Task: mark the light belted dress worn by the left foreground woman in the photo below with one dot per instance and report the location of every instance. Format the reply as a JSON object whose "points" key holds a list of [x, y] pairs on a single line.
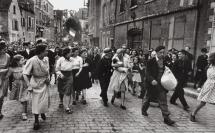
{"points": [[39, 70]]}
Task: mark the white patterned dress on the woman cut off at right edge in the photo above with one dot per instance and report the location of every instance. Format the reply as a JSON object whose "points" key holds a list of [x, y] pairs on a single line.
{"points": [[207, 93]]}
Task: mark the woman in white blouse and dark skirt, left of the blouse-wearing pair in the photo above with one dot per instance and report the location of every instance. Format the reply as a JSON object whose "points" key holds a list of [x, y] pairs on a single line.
{"points": [[64, 68]]}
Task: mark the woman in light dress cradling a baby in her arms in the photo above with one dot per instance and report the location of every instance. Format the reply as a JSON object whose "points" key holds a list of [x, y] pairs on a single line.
{"points": [[119, 81]]}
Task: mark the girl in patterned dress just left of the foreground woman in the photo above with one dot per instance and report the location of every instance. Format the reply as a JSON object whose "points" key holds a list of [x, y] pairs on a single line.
{"points": [[19, 90]]}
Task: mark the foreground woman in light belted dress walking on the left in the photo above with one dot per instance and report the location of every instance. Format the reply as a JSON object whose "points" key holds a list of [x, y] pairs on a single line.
{"points": [[38, 68]]}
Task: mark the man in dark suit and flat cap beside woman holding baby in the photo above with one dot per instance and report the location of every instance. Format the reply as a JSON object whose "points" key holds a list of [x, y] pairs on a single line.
{"points": [[104, 71]]}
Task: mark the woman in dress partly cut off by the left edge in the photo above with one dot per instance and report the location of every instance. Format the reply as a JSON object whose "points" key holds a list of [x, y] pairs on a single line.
{"points": [[4, 63]]}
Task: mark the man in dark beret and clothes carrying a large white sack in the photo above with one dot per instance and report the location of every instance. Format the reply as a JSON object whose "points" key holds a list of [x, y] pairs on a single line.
{"points": [[154, 71]]}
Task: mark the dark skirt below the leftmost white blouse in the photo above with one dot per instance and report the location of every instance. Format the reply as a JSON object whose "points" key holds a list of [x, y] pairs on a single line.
{"points": [[65, 85]]}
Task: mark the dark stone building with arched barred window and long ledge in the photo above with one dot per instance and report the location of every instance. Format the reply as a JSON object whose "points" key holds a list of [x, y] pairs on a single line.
{"points": [[149, 23]]}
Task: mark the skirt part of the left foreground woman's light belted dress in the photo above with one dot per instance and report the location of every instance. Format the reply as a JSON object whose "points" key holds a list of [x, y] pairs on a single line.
{"points": [[40, 101]]}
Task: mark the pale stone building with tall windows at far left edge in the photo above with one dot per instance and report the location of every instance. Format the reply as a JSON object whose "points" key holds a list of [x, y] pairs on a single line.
{"points": [[10, 28]]}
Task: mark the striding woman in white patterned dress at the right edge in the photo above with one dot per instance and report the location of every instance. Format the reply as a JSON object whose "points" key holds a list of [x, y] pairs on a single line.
{"points": [[207, 94]]}
